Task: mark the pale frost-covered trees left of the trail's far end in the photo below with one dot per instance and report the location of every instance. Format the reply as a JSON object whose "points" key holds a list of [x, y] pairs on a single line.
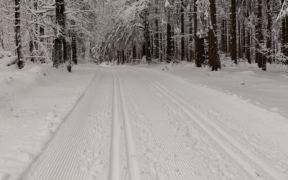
{"points": [[45, 31]]}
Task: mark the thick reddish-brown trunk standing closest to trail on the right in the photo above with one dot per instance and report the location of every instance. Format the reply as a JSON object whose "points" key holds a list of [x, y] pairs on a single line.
{"points": [[214, 60]]}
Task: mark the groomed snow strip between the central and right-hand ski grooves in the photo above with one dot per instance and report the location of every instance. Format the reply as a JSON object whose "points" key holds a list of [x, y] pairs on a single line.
{"points": [[165, 152]]}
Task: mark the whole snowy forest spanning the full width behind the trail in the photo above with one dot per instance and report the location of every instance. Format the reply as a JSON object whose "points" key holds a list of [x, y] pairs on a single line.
{"points": [[201, 31]]}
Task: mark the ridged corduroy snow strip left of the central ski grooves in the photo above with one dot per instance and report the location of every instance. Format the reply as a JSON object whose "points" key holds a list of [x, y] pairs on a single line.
{"points": [[73, 152]]}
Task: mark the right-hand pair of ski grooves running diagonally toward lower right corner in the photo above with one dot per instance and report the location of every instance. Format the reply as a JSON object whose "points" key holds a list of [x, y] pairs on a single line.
{"points": [[255, 167]]}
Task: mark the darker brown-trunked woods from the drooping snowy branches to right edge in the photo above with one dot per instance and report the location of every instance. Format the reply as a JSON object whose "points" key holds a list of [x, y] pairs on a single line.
{"points": [[202, 31]]}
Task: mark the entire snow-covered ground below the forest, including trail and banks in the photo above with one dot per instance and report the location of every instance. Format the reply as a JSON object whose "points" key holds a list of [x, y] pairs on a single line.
{"points": [[143, 123]]}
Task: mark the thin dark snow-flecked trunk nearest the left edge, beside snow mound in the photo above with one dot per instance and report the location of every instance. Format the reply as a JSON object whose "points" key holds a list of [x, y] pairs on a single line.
{"points": [[20, 60]]}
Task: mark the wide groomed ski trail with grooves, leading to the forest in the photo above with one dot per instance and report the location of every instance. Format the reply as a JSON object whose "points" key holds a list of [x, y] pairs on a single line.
{"points": [[140, 124]]}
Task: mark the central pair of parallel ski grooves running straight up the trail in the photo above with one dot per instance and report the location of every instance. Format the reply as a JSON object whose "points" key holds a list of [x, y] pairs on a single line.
{"points": [[120, 114]]}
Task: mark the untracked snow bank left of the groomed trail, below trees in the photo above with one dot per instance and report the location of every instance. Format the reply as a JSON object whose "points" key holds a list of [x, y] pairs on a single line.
{"points": [[34, 102]]}
